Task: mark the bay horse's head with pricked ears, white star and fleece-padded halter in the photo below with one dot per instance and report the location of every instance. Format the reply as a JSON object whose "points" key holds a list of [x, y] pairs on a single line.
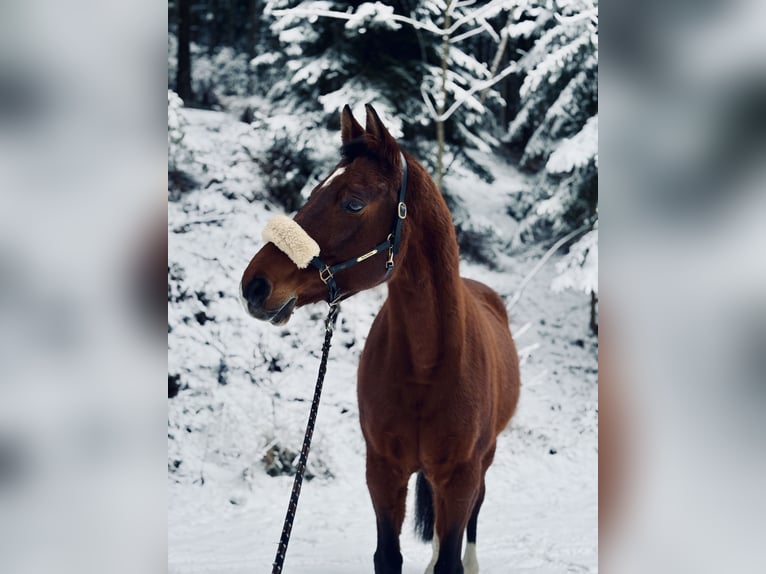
{"points": [[344, 239]]}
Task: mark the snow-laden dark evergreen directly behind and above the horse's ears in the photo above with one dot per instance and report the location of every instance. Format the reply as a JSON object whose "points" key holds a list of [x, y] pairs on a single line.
{"points": [[410, 58]]}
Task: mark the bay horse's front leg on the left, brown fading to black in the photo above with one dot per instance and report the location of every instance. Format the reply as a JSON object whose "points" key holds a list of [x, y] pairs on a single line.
{"points": [[388, 489]]}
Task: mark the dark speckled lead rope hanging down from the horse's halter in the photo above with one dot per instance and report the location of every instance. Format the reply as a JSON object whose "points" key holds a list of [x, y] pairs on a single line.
{"points": [[279, 560]]}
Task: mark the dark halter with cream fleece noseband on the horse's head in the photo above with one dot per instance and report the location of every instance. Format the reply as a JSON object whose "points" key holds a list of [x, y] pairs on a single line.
{"points": [[298, 245]]}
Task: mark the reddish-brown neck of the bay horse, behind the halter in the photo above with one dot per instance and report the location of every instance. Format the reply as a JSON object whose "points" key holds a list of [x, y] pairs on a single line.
{"points": [[426, 295]]}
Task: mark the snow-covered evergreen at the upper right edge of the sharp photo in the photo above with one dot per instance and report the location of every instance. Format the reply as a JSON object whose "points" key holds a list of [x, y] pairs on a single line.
{"points": [[556, 127]]}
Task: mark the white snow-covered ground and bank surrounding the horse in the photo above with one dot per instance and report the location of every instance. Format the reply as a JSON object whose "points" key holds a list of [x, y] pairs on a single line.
{"points": [[246, 386]]}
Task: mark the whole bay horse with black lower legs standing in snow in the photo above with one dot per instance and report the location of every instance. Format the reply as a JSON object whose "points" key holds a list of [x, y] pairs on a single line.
{"points": [[438, 378]]}
